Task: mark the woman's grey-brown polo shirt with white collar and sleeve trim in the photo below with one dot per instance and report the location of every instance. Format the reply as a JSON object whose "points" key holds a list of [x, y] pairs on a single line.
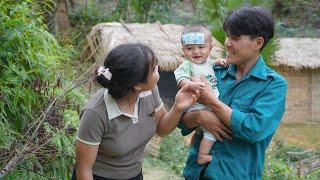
{"points": [[121, 137]]}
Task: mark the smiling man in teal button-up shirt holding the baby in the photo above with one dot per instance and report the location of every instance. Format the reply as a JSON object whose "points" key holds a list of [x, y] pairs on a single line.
{"points": [[250, 105]]}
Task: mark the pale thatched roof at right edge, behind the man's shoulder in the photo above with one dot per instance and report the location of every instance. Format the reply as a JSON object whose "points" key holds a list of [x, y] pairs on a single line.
{"points": [[298, 53]]}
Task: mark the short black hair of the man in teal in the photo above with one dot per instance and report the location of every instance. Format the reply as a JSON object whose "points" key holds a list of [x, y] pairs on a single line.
{"points": [[252, 21]]}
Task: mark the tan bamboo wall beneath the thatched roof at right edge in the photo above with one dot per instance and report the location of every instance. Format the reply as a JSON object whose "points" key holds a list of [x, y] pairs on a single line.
{"points": [[303, 95]]}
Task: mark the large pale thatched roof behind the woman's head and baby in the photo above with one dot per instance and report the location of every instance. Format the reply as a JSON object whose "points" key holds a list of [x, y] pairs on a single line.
{"points": [[163, 39]]}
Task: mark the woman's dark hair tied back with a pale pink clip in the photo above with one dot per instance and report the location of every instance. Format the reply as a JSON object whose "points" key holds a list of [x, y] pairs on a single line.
{"points": [[129, 65]]}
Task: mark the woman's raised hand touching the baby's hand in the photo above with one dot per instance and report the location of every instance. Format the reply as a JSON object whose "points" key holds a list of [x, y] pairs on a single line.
{"points": [[186, 97]]}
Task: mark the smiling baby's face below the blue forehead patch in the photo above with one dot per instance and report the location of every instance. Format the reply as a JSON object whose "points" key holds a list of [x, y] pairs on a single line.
{"points": [[197, 53]]}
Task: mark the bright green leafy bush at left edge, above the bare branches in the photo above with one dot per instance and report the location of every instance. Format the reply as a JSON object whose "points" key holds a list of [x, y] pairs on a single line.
{"points": [[29, 59]]}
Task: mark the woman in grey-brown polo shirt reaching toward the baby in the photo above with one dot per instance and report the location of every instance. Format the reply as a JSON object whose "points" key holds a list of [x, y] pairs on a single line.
{"points": [[119, 120]]}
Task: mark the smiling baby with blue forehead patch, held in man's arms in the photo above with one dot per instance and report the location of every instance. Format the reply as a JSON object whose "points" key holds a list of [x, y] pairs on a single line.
{"points": [[196, 43]]}
